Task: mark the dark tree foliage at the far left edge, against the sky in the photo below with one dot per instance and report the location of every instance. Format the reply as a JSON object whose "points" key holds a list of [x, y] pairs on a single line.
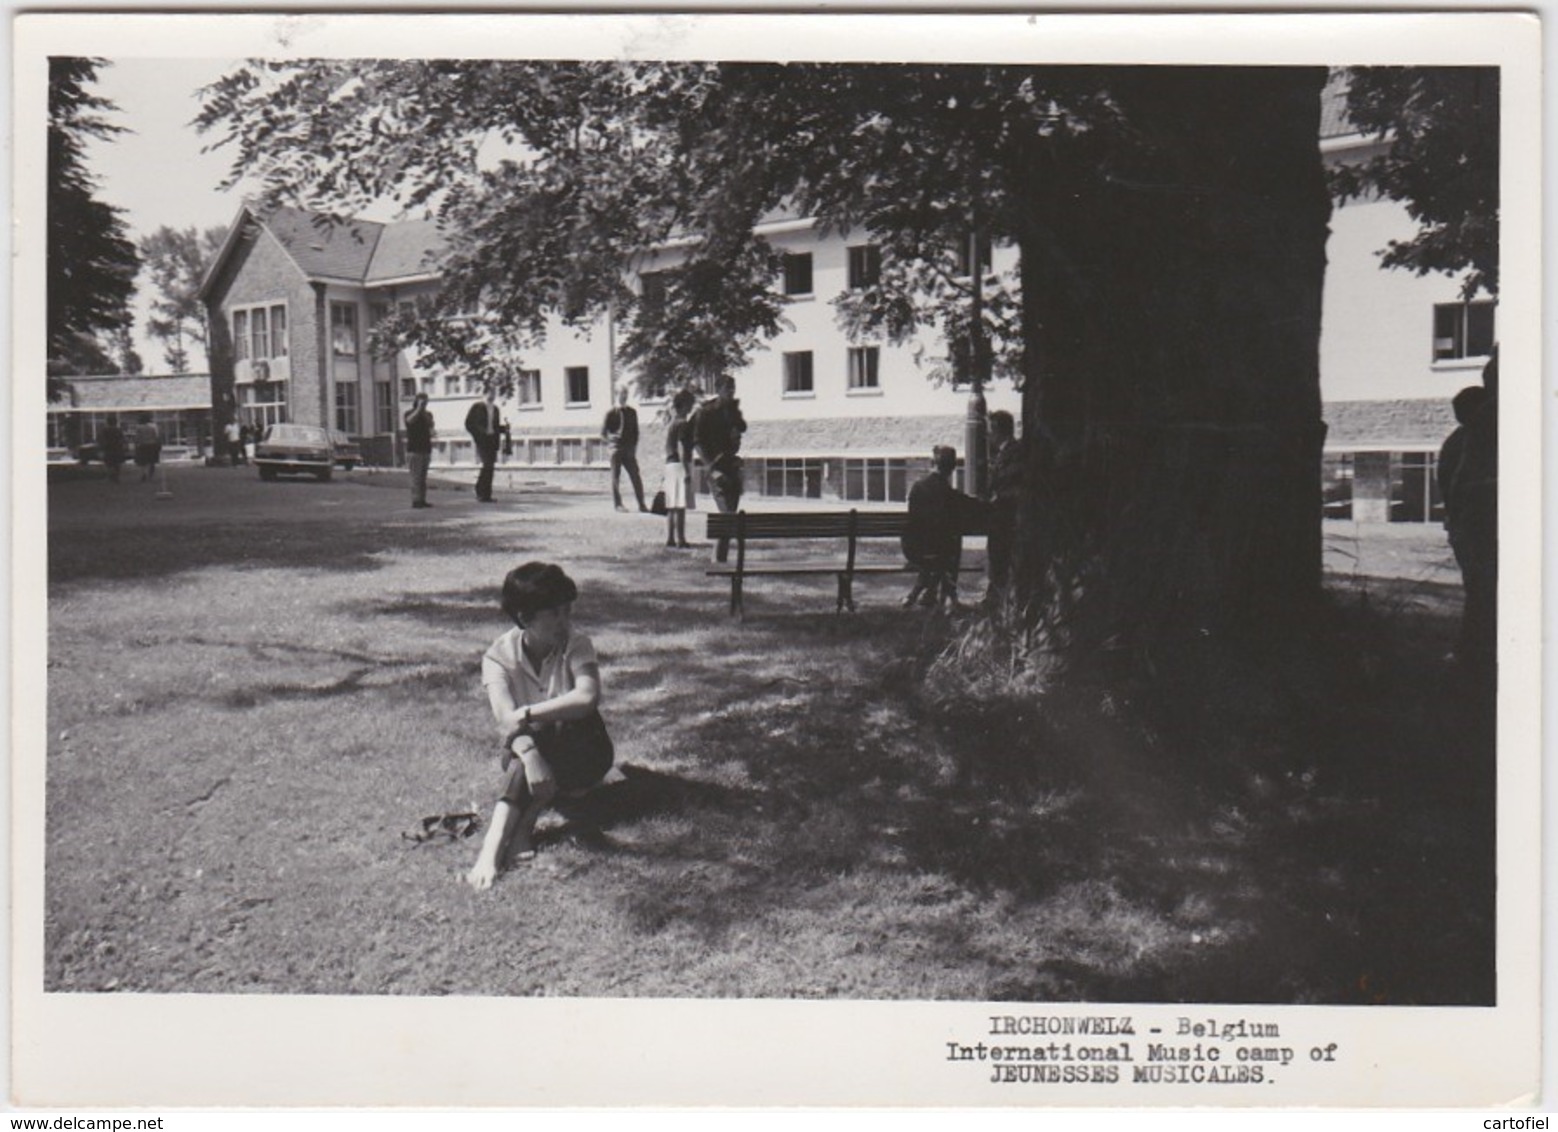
{"points": [[91, 261]]}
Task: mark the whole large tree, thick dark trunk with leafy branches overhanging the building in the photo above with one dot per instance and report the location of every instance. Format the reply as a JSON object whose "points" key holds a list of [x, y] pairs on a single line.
{"points": [[1163, 320]]}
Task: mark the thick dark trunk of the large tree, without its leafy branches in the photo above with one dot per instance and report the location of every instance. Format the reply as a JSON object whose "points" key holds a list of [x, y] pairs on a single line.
{"points": [[1174, 374]]}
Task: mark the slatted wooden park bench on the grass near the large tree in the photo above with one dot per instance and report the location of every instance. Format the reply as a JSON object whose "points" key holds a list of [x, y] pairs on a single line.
{"points": [[848, 527]]}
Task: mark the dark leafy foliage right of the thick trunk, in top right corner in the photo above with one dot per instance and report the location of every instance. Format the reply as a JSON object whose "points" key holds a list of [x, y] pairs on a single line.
{"points": [[1442, 125]]}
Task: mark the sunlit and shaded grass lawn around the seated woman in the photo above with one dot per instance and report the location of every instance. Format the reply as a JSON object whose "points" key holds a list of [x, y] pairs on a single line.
{"points": [[247, 717]]}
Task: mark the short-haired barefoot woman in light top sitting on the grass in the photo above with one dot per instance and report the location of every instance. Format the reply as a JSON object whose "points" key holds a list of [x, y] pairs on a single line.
{"points": [[543, 683]]}
